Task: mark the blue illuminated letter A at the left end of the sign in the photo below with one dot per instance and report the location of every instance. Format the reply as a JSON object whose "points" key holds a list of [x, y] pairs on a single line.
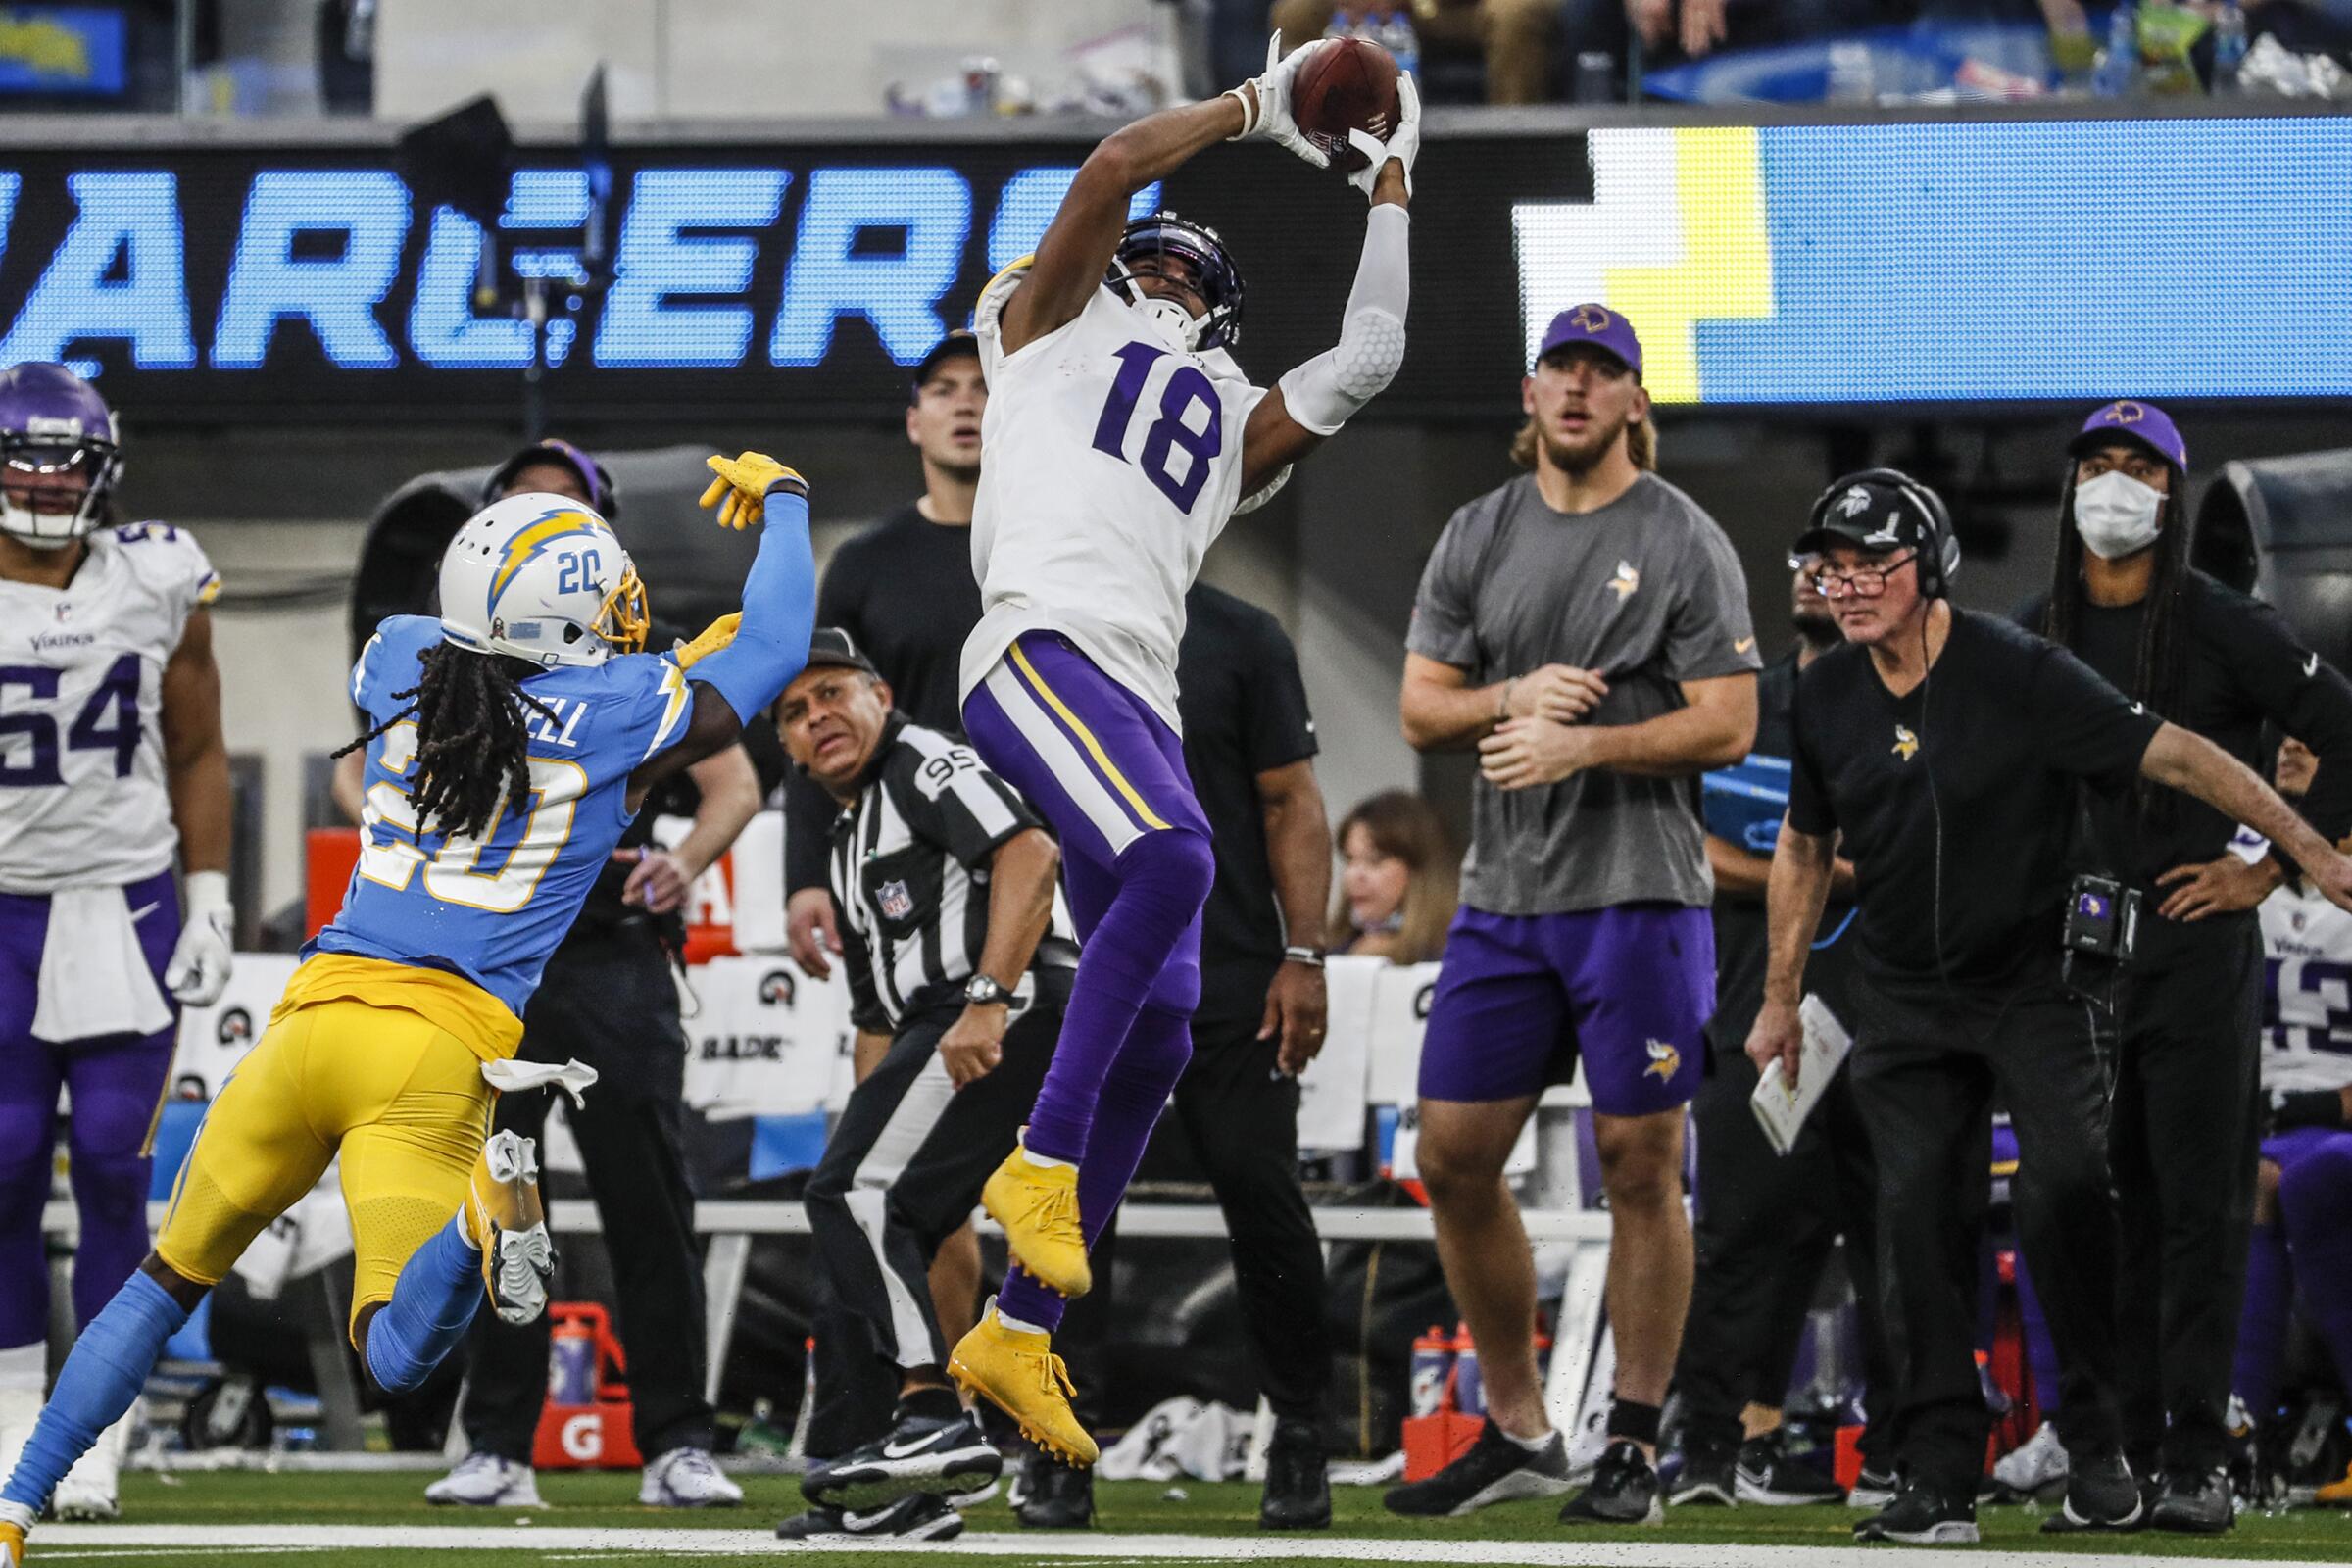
{"points": [[131, 217]]}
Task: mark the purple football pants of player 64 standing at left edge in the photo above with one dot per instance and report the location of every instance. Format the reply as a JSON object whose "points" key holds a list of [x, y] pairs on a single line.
{"points": [[116, 1083]]}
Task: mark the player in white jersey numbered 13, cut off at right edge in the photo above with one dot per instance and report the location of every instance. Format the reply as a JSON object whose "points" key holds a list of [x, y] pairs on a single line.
{"points": [[2304, 1200]]}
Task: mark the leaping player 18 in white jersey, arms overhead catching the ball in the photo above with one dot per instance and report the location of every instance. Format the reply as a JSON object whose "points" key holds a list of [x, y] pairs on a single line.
{"points": [[1121, 441]]}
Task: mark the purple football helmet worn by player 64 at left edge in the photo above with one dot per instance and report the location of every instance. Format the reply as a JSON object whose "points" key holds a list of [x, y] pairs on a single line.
{"points": [[53, 424]]}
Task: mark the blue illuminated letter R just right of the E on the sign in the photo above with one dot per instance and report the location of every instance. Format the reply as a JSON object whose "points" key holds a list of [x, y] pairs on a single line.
{"points": [[897, 293]]}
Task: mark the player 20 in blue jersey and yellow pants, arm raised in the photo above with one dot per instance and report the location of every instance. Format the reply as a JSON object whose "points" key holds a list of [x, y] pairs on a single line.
{"points": [[512, 744]]}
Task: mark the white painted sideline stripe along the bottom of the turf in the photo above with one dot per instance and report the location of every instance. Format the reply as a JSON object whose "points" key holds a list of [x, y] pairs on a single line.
{"points": [[281, 1539]]}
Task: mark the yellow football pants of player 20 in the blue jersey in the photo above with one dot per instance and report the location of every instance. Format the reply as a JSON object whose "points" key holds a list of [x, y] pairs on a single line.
{"points": [[401, 1099]]}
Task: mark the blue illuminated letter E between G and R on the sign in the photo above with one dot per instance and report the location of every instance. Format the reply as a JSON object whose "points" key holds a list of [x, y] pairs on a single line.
{"points": [[655, 260]]}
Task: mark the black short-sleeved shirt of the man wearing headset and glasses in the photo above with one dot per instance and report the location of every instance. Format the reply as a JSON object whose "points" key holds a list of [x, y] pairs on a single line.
{"points": [[1958, 800]]}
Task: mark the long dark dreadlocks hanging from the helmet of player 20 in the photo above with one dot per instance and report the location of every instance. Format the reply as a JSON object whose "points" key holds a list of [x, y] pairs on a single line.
{"points": [[472, 739]]}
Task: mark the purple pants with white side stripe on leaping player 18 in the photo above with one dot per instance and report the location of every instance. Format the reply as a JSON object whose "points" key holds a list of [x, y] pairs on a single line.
{"points": [[1109, 775]]}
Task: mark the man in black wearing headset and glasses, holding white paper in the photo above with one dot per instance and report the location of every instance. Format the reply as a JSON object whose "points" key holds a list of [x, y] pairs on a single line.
{"points": [[1939, 751]]}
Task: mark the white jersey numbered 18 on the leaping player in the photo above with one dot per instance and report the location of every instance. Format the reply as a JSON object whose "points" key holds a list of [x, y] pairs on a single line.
{"points": [[1114, 464]]}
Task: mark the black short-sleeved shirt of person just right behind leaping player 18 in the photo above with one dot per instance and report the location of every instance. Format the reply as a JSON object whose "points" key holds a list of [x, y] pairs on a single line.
{"points": [[1245, 713]]}
